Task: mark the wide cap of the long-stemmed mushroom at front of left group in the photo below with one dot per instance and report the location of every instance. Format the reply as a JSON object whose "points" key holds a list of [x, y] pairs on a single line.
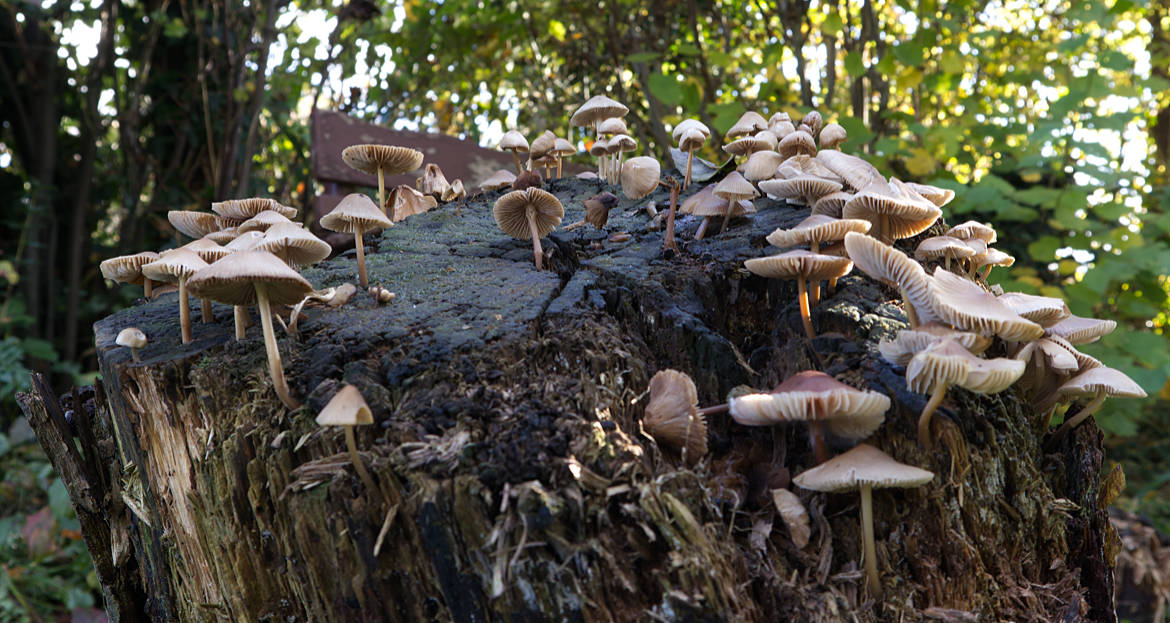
{"points": [[232, 280]]}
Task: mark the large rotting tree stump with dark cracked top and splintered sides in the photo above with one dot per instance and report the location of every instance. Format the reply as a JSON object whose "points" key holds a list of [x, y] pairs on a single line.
{"points": [[515, 481]]}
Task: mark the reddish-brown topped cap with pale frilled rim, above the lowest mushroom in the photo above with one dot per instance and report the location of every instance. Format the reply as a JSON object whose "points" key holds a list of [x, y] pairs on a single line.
{"points": [[815, 396]]}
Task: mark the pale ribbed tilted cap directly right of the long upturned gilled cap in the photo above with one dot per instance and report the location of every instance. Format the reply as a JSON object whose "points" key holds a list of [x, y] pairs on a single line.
{"points": [[966, 306]]}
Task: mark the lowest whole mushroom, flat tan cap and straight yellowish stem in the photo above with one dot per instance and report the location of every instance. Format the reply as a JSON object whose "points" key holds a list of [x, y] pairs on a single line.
{"points": [[863, 469]]}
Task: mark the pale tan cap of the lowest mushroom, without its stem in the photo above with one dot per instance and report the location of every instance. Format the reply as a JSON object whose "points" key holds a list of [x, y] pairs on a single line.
{"points": [[865, 465]]}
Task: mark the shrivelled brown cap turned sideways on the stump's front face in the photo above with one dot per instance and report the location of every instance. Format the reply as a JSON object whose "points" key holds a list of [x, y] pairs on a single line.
{"points": [[672, 415]]}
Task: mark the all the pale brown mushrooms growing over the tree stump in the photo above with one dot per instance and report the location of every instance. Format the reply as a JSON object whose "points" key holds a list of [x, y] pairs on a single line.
{"points": [[246, 254]]}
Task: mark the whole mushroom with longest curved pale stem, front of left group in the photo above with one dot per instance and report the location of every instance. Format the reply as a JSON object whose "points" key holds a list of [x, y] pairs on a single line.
{"points": [[257, 277]]}
